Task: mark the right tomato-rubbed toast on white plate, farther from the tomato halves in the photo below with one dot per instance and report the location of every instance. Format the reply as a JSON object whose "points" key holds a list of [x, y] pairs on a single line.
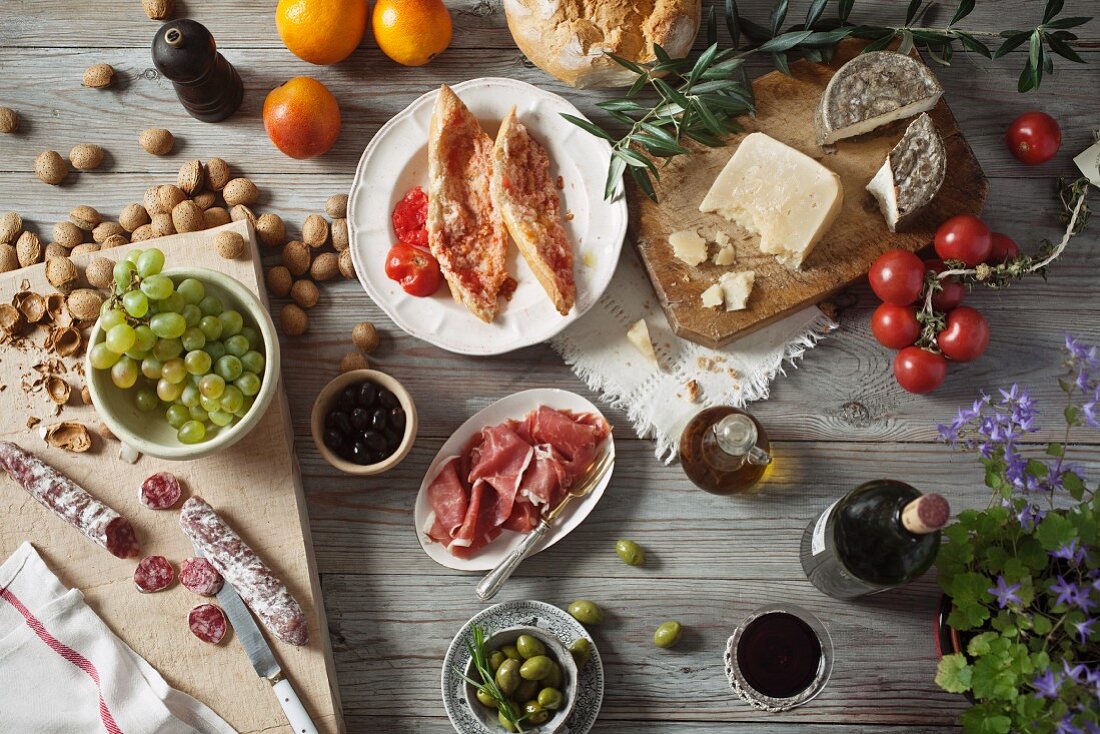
{"points": [[527, 199]]}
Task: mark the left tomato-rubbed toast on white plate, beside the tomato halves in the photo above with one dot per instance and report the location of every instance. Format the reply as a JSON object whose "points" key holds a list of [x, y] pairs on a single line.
{"points": [[466, 233]]}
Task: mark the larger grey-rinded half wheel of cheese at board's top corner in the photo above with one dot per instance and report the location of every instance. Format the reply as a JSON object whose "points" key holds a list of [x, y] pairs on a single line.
{"points": [[873, 91]]}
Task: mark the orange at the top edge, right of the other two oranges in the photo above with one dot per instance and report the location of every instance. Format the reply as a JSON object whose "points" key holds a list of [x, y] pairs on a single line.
{"points": [[412, 32]]}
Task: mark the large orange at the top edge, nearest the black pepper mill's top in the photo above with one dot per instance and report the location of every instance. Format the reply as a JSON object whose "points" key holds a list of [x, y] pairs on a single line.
{"points": [[322, 31]]}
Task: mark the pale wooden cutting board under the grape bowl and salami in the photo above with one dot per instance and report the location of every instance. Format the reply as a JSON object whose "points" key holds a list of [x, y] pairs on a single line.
{"points": [[255, 485]]}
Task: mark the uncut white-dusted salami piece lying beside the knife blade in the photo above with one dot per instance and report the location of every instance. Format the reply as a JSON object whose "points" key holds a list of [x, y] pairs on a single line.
{"points": [[254, 580]]}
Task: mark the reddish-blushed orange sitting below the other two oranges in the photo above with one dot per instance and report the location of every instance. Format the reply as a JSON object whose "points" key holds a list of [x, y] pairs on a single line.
{"points": [[302, 118]]}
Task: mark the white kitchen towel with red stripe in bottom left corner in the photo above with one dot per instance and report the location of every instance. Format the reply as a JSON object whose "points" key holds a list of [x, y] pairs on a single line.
{"points": [[63, 671]]}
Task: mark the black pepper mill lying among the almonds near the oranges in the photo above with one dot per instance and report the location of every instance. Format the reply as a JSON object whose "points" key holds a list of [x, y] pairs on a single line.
{"points": [[208, 86]]}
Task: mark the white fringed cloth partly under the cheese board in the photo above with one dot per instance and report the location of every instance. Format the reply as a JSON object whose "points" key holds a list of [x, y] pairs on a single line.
{"points": [[662, 400]]}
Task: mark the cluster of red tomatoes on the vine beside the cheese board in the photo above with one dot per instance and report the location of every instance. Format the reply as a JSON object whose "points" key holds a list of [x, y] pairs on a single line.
{"points": [[898, 279]]}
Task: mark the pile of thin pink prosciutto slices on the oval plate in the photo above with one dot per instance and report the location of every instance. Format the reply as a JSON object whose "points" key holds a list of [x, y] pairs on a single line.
{"points": [[509, 476]]}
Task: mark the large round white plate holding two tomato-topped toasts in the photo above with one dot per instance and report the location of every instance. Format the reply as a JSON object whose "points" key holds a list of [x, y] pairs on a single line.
{"points": [[397, 160]]}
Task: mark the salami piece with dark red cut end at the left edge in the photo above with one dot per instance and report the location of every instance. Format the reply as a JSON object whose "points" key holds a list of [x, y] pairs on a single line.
{"points": [[70, 501]]}
